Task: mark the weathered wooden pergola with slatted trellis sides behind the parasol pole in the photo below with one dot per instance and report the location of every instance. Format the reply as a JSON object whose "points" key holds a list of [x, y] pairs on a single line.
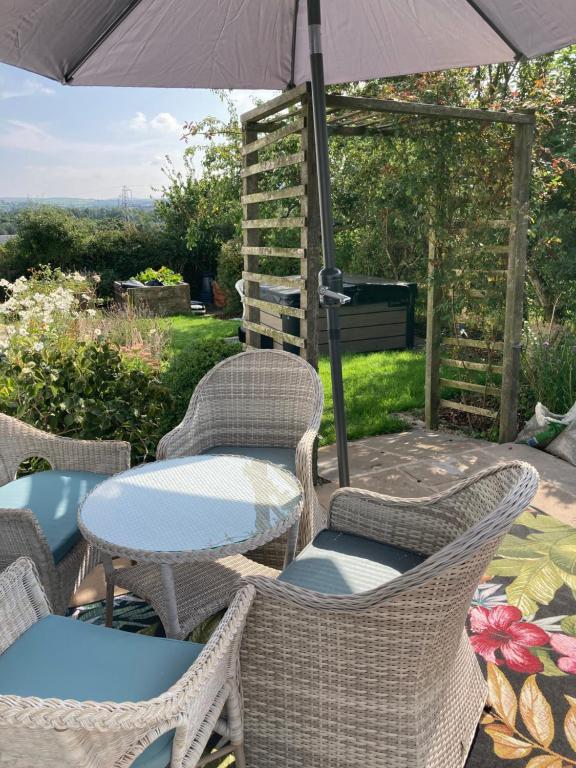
{"points": [[280, 170]]}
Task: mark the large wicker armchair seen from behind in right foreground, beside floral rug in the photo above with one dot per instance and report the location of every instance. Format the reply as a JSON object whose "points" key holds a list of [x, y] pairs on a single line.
{"points": [[385, 677]]}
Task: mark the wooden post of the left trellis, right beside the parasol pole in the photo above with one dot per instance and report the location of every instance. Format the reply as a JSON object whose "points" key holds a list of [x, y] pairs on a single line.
{"points": [[310, 237]]}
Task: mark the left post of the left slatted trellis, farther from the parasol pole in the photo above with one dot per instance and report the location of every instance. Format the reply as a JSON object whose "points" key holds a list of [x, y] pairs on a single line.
{"points": [[251, 237]]}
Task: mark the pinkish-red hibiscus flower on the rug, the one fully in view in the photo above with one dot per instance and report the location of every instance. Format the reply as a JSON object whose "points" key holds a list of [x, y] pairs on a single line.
{"points": [[502, 629]]}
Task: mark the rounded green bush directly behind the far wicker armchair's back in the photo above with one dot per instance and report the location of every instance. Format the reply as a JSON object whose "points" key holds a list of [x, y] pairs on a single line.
{"points": [[189, 365]]}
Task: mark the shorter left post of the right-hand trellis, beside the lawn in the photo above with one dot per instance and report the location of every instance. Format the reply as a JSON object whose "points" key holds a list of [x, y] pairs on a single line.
{"points": [[433, 334]]}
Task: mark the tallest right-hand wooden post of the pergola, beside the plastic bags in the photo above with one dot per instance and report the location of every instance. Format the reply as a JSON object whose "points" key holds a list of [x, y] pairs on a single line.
{"points": [[523, 138]]}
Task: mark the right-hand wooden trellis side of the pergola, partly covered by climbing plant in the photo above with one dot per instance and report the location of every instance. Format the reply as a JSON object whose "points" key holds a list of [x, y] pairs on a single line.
{"points": [[505, 277]]}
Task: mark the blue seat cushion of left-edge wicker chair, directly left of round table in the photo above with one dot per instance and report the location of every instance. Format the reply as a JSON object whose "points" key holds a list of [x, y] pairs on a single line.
{"points": [[53, 497]]}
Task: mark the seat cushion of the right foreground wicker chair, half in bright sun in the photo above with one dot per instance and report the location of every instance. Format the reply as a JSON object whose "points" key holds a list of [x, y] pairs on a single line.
{"points": [[338, 563]]}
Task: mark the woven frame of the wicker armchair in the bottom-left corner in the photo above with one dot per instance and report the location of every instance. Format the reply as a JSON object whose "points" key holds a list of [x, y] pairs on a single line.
{"points": [[56, 733]]}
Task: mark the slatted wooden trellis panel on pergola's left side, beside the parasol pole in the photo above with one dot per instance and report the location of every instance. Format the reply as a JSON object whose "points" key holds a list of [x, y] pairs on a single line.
{"points": [[264, 130]]}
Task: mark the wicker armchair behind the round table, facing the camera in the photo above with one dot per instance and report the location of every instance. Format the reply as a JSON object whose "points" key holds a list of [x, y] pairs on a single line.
{"points": [[263, 399]]}
